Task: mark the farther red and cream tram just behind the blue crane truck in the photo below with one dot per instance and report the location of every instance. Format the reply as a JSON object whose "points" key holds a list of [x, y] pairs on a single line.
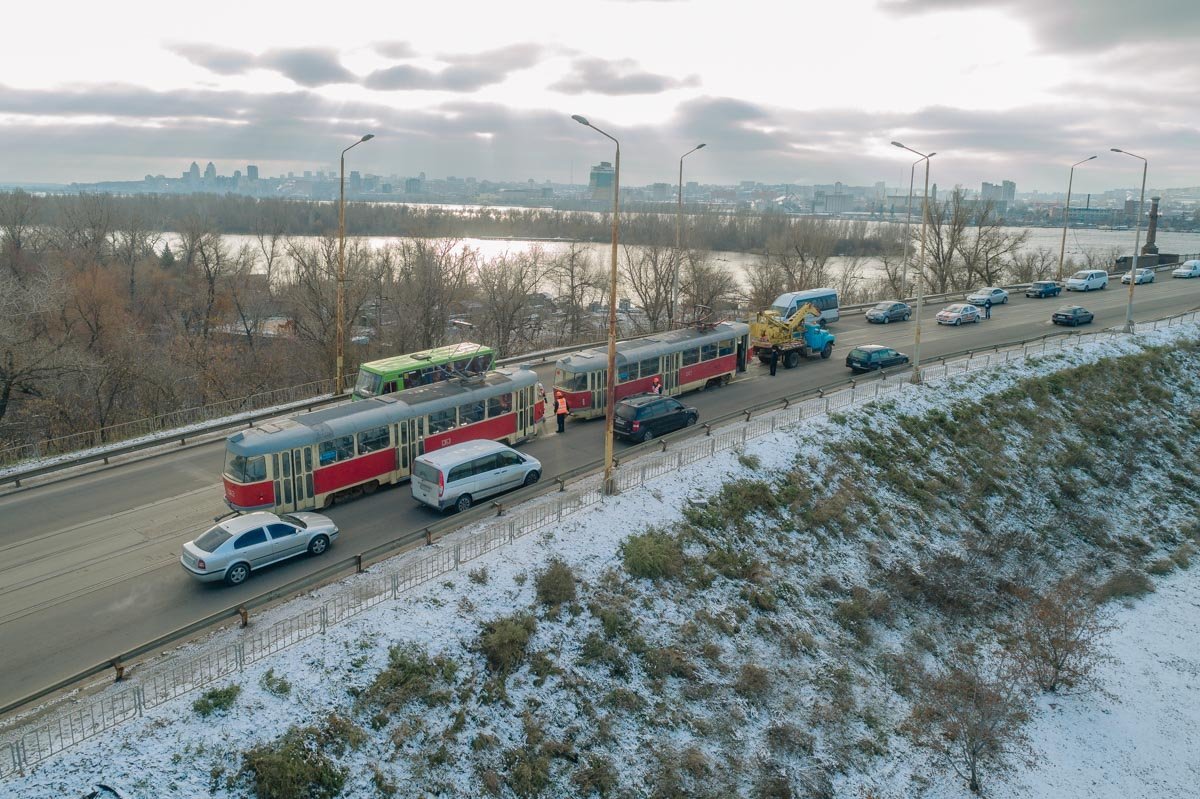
{"points": [[682, 359]]}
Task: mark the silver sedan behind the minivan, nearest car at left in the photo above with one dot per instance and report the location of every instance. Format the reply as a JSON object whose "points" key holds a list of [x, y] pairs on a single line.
{"points": [[232, 549]]}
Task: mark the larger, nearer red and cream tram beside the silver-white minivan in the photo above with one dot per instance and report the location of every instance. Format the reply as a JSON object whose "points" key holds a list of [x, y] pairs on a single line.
{"points": [[311, 460]]}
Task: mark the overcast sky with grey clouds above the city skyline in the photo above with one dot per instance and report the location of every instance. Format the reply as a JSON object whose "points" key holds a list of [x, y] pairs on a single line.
{"points": [[797, 92]]}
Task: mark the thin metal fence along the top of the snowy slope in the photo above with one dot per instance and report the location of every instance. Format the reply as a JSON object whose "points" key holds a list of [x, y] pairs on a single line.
{"points": [[27, 744]]}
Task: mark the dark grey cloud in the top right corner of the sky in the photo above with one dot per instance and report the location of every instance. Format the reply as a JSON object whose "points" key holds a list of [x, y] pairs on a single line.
{"points": [[1081, 26]]}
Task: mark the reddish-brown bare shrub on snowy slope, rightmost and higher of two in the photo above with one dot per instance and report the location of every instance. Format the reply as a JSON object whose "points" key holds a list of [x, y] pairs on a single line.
{"points": [[1058, 644]]}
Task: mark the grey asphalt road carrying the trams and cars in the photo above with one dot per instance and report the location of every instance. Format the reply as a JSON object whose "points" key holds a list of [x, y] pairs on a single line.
{"points": [[89, 564]]}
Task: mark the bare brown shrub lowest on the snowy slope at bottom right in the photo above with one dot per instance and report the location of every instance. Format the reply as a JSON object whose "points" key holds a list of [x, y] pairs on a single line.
{"points": [[973, 716]]}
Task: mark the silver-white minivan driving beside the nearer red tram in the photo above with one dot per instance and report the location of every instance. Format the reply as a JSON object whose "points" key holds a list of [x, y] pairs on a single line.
{"points": [[459, 476]]}
